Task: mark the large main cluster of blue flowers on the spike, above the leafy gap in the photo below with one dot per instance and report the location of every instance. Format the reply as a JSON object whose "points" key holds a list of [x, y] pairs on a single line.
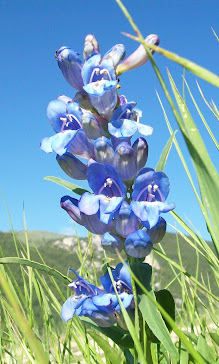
{"points": [[97, 126]]}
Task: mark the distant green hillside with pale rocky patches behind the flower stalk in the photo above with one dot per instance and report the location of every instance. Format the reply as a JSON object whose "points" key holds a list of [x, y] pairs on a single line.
{"points": [[60, 252]]}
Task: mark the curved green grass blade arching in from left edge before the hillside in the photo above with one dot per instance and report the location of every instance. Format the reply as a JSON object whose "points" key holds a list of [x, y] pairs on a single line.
{"points": [[42, 267]]}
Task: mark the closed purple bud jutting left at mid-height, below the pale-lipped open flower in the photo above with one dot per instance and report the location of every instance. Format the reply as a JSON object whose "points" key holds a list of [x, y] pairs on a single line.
{"points": [[72, 166]]}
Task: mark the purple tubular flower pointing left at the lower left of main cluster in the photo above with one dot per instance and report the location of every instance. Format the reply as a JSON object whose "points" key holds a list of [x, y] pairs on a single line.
{"points": [[92, 223]]}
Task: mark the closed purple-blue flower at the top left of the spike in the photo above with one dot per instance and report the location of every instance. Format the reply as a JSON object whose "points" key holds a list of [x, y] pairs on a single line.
{"points": [[71, 67]]}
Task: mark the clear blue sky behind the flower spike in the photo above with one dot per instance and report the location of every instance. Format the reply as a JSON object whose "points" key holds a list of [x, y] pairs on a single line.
{"points": [[31, 31]]}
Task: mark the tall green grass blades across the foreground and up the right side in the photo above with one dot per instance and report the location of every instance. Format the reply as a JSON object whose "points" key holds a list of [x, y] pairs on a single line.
{"points": [[195, 333]]}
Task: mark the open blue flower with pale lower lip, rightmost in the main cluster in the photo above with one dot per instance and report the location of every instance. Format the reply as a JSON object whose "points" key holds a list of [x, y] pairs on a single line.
{"points": [[149, 194]]}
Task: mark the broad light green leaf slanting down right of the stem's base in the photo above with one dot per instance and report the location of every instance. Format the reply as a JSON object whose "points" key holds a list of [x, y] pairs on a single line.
{"points": [[155, 322]]}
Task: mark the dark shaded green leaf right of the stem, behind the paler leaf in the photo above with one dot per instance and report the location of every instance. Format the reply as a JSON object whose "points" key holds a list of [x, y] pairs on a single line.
{"points": [[165, 299]]}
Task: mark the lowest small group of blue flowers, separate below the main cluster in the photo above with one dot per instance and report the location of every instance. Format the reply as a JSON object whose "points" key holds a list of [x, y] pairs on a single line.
{"points": [[102, 307]]}
